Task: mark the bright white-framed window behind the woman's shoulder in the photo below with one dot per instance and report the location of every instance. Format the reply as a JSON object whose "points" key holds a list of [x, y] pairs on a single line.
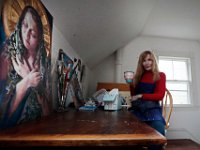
{"points": [[178, 76]]}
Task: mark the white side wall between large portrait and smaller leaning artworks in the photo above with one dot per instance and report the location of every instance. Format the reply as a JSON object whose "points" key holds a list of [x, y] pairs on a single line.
{"points": [[59, 42]]}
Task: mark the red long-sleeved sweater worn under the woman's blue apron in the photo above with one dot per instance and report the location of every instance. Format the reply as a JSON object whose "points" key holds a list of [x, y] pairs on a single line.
{"points": [[160, 88]]}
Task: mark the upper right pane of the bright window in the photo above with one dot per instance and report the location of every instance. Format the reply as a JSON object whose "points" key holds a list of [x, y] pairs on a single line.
{"points": [[180, 70]]}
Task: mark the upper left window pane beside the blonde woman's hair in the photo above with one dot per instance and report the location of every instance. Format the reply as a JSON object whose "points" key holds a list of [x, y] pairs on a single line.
{"points": [[169, 71]]}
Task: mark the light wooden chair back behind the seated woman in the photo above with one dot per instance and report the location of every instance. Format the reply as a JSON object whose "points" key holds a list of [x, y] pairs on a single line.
{"points": [[167, 107]]}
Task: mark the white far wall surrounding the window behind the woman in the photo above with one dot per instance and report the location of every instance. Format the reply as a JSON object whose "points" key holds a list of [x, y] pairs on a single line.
{"points": [[184, 122]]}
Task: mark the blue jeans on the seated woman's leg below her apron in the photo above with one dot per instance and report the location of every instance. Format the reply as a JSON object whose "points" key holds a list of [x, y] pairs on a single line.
{"points": [[160, 127]]}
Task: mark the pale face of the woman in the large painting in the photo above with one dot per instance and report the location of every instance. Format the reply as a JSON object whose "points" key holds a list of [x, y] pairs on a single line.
{"points": [[29, 32]]}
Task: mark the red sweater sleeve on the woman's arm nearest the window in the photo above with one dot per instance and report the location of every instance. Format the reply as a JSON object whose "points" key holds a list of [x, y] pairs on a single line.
{"points": [[159, 92]]}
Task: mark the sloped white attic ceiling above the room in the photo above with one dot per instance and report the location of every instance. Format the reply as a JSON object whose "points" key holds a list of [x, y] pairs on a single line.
{"points": [[97, 28]]}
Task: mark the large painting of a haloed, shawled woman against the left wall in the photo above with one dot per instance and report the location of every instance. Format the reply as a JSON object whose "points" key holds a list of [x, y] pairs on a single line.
{"points": [[25, 62]]}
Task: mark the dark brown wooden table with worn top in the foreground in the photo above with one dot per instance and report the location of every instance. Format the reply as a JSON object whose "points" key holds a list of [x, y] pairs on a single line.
{"points": [[82, 128]]}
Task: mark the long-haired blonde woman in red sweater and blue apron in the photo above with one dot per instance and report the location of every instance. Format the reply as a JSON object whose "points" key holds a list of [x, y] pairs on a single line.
{"points": [[147, 89]]}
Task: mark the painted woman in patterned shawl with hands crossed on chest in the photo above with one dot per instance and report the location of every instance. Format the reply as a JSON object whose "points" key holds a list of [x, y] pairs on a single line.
{"points": [[24, 79]]}
